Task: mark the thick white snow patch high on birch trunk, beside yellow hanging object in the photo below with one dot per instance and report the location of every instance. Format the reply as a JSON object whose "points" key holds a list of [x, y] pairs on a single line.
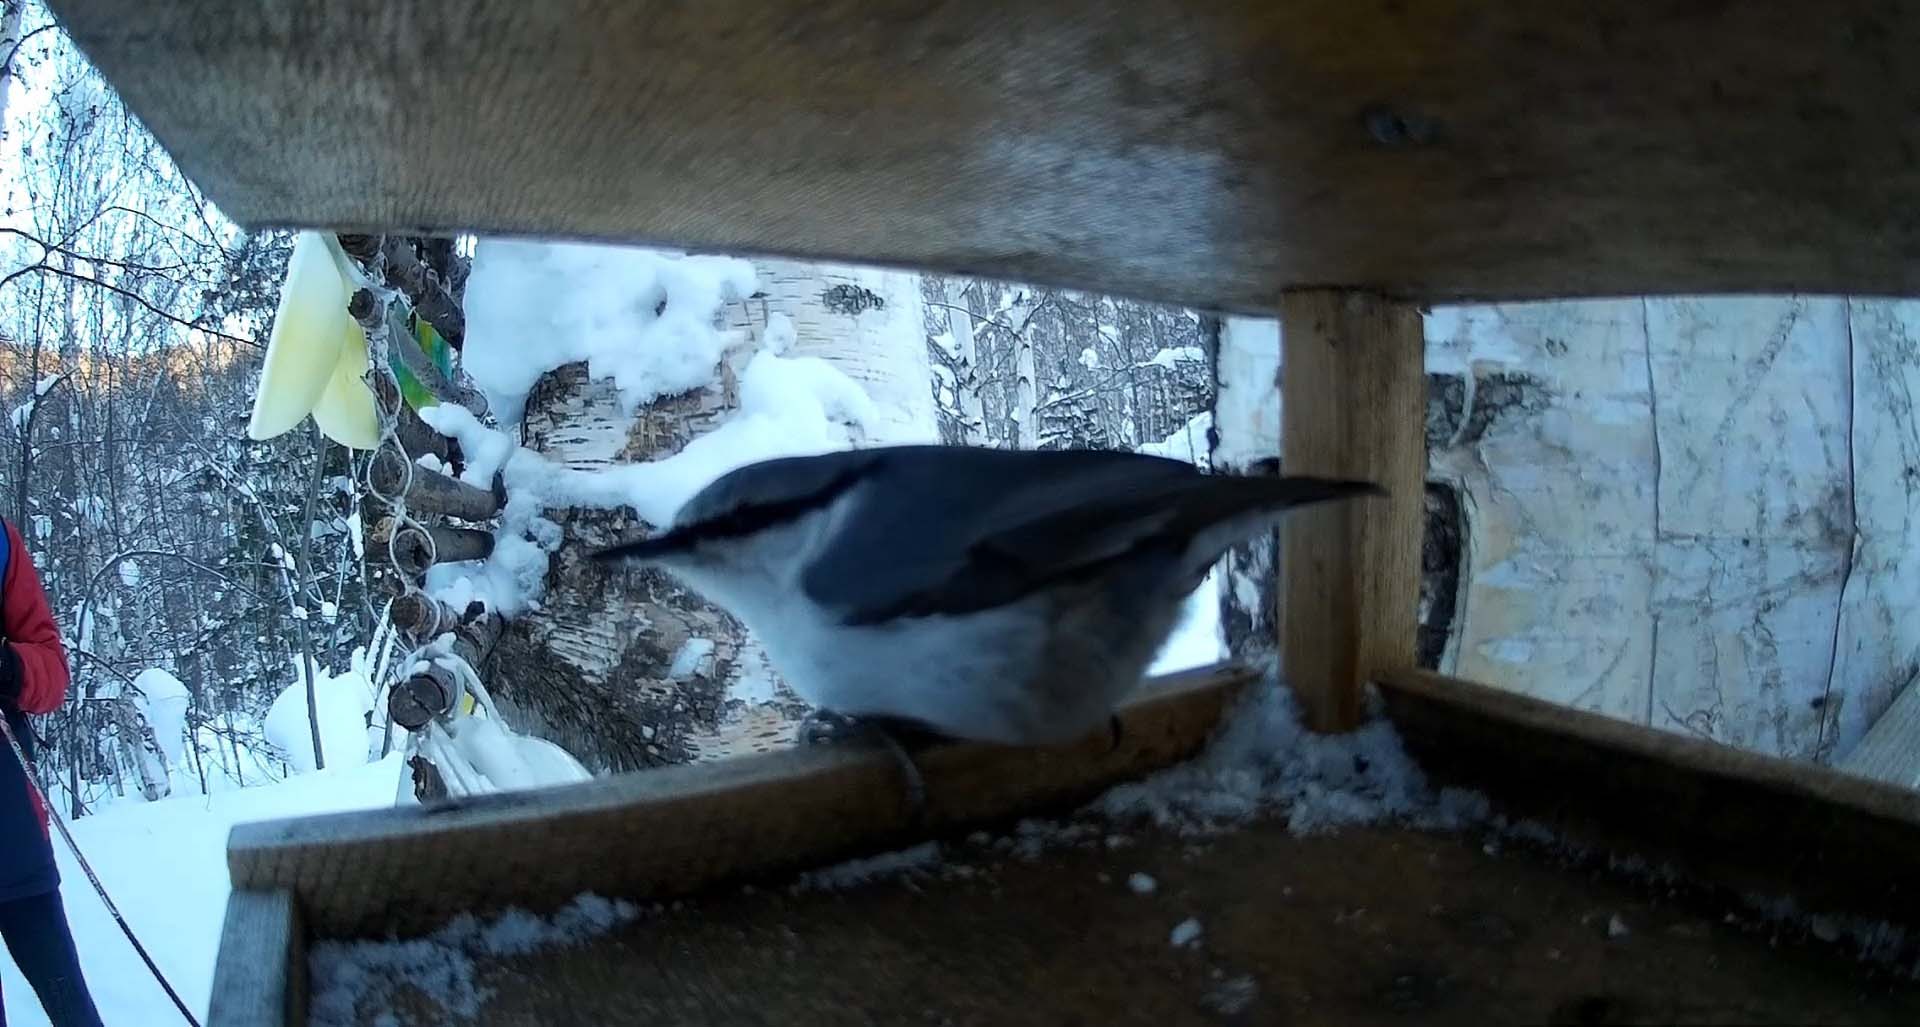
{"points": [[642, 318]]}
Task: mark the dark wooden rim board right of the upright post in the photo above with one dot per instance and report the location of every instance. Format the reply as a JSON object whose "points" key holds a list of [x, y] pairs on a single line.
{"points": [[1733, 821]]}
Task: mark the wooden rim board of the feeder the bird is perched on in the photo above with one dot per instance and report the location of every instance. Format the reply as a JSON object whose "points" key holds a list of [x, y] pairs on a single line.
{"points": [[675, 830]]}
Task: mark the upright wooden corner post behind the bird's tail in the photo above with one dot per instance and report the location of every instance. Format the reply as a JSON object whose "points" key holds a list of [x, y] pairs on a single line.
{"points": [[1353, 406]]}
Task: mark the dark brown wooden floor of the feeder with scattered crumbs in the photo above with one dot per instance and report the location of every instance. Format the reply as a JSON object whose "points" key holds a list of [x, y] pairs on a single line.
{"points": [[1362, 926]]}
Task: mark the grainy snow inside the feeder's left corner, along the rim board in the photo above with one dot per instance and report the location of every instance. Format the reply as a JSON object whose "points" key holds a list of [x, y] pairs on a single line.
{"points": [[354, 978]]}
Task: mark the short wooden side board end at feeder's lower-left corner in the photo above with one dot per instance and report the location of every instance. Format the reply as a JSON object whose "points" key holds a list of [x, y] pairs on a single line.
{"points": [[260, 976]]}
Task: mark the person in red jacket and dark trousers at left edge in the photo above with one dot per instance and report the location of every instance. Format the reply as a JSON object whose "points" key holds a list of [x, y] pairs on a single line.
{"points": [[34, 681]]}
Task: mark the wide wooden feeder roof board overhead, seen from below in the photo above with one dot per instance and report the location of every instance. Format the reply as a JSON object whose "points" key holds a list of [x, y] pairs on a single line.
{"points": [[1201, 153]]}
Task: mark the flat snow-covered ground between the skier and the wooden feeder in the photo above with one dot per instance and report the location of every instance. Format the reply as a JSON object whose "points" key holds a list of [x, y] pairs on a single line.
{"points": [[166, 869]]}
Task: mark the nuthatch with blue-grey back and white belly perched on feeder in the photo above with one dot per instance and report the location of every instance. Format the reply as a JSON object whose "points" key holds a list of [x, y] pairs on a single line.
{"points": [[976, 594]]}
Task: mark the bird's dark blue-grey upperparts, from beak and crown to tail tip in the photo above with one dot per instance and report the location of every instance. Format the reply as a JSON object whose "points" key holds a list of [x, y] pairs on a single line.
{"points": [[949, 531]]}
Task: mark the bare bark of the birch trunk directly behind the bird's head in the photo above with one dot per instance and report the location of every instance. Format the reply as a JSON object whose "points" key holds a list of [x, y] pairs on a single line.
{"points": [[627, 669]]}
